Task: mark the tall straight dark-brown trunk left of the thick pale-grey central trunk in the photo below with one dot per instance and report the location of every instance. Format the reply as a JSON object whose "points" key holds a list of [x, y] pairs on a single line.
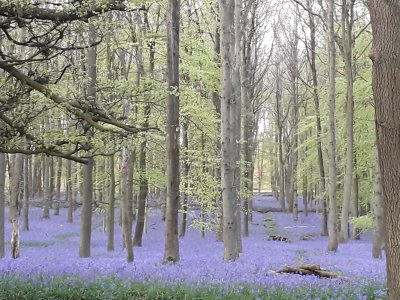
{"points": [[171, 253]]}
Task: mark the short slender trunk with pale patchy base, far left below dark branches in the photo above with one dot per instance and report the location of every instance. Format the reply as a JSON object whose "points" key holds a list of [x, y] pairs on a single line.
{"points": [[14, 204]]}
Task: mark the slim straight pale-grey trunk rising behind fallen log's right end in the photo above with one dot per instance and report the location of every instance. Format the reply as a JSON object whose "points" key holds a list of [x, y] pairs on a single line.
{"points": [[332, 230]]}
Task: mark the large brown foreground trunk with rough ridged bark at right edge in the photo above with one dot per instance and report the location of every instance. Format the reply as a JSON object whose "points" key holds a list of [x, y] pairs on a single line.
{"points": [[385, 22]]}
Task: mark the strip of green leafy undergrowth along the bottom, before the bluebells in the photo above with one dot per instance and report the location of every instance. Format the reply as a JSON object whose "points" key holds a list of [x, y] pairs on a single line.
{"points": [[67, 288]]}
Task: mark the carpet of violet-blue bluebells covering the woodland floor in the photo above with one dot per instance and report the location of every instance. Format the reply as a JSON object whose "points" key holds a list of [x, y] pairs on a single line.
{"points": [[51, 246]]}
